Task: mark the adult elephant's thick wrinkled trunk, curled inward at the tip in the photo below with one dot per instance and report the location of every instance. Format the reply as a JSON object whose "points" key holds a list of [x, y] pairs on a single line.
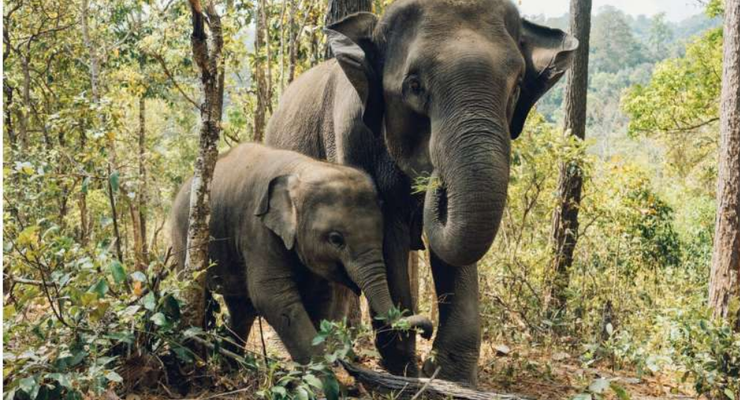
{"points": [[463, 210]]}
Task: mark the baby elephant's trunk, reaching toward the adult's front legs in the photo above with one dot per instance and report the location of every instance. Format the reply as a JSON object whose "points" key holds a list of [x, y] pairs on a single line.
{"points": [[369, 273]]}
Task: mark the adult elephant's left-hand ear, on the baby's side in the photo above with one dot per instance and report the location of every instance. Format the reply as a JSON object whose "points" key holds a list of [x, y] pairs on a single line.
{"points": [[350, 40]]}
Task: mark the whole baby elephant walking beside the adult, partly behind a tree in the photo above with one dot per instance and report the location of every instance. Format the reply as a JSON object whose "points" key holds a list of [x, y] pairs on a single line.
{"points": [[289, 233]]}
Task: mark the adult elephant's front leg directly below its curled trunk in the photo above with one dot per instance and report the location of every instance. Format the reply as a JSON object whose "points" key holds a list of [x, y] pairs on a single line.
{"points": [[457, 344]]}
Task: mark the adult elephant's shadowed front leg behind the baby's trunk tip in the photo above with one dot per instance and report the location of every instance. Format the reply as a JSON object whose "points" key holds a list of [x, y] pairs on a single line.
{"points": [[397, 350]]}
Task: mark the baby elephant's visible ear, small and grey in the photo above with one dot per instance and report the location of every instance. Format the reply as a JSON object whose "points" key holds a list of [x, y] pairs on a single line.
{"points": [[277, 211]]}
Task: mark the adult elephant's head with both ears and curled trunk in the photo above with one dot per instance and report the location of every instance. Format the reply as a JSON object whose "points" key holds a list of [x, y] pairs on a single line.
{"points": [[449, 83]]}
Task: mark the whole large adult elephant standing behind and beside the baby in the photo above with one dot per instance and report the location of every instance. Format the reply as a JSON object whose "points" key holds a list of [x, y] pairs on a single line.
{"points": [[434, 88]]}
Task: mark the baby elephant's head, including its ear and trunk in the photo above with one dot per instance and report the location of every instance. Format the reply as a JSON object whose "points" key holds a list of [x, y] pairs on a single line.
{"points": [[331, 217]]}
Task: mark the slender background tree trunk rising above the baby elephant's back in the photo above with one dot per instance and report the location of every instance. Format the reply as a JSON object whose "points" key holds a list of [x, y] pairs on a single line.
{"points": [[260, 80]]}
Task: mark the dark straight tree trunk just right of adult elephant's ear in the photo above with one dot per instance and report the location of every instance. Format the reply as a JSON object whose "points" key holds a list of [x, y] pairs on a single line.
{"points": [[565, 217]]}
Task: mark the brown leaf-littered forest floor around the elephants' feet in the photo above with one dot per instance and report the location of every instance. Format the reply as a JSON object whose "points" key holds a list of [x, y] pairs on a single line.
{"points": [[539, 373]]}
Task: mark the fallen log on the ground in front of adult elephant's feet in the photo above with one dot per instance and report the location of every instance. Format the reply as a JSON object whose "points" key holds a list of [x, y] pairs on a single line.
{"points": [[427, 388]]}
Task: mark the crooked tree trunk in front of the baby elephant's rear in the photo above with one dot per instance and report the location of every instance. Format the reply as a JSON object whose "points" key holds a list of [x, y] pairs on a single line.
{"points": [[208, 56]]}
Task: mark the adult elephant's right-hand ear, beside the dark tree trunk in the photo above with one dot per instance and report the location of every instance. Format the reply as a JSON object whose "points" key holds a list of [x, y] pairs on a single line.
{"points": [[548, 53]]}
